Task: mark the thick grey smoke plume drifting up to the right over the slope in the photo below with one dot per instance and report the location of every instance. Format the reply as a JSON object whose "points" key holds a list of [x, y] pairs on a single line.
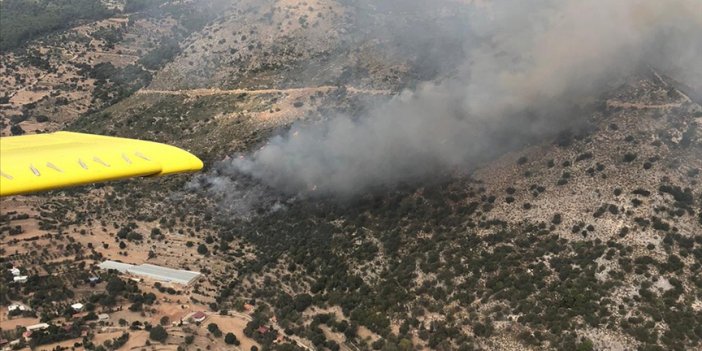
{"points": [[535, 61]]}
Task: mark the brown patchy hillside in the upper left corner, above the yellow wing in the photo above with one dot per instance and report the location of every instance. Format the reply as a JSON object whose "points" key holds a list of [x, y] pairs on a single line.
{"points": [[84, 66]]}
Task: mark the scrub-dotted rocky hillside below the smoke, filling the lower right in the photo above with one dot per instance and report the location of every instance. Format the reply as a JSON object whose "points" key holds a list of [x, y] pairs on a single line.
{"points": [[594, 232]]}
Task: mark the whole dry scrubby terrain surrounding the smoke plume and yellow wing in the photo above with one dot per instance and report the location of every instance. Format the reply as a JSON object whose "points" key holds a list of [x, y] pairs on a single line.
{"points": [[585, 239]]}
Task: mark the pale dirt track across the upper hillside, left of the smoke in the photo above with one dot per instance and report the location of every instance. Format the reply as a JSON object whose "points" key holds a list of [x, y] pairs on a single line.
{"points": [[217, 91]]}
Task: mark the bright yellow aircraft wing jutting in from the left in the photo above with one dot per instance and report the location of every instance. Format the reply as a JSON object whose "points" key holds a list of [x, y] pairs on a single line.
{"points": [[30, 163]]}
